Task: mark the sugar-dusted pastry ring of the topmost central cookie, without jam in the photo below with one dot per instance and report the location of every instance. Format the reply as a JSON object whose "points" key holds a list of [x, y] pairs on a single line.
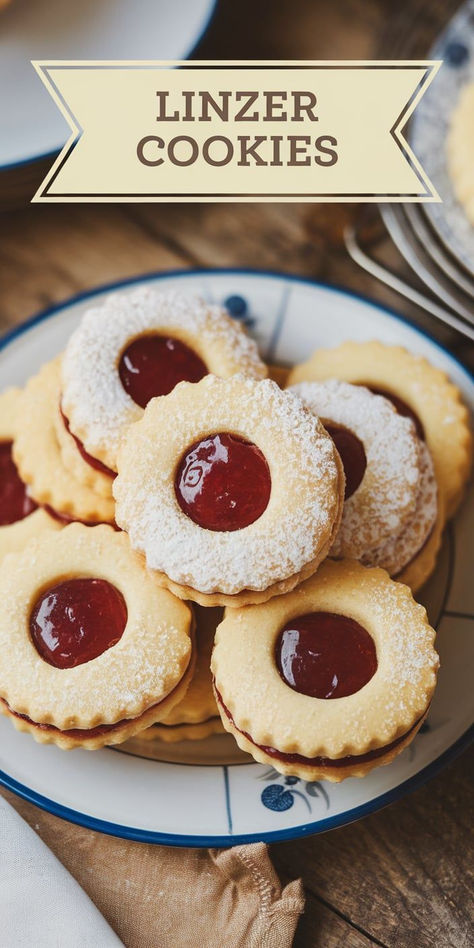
{"points": [[304, 504]]}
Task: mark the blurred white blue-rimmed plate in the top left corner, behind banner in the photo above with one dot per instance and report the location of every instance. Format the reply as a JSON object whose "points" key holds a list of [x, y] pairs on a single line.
{"points": [[31, 125]]}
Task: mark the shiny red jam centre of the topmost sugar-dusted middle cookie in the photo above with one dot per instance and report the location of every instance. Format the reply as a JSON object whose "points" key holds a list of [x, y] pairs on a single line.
{"points": [[223, 483]]}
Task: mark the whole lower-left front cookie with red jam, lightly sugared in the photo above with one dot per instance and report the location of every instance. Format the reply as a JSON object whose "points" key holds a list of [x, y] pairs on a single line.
{"points": [[93, 649]]}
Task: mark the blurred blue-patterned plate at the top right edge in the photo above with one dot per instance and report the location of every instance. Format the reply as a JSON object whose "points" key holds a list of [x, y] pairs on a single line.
{"points": [[430, 126]]}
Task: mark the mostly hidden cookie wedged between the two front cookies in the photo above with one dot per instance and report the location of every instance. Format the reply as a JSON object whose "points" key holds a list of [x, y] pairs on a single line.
{"points": [[196, 716]]}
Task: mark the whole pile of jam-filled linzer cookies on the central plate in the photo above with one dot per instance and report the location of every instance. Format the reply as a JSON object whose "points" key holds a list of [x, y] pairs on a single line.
{"points": [[154, 476]]}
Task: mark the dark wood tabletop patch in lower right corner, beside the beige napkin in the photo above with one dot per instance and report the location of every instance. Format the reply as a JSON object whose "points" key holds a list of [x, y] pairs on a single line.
{"points": [[404, 876]]}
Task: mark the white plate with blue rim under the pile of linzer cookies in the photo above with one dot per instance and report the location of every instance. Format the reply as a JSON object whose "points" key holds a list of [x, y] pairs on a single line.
{"points": [[206, 793]]}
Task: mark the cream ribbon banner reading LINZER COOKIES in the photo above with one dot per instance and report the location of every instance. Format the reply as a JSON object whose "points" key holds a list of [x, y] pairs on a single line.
{"points": [[310, 131]]}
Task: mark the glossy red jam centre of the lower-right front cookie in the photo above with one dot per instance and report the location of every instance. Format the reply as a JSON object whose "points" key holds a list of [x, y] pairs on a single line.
{"points": [[324, 655]]}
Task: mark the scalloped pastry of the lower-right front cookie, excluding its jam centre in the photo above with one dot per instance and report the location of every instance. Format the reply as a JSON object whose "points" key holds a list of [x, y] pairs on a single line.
{"points": [[254, 699]]}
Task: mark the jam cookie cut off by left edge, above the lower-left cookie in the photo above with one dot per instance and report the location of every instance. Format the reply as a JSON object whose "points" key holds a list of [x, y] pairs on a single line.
{"points": [[20, 517]]}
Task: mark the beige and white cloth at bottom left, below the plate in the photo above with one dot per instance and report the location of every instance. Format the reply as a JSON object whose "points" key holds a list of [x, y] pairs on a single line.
{"points": [[152, 896]]}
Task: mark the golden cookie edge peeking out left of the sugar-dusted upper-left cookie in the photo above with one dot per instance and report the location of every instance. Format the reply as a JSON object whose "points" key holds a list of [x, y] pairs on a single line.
{"points": [[38, 456]]}
